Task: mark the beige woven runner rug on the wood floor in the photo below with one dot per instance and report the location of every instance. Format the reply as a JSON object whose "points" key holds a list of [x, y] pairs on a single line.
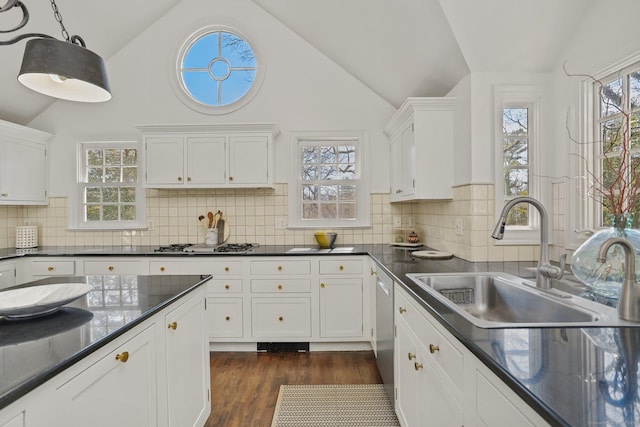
{"points": [[357, 405]]}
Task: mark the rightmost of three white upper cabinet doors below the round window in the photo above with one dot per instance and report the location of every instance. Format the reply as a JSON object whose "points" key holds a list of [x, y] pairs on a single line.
{"points": [[249, 160]]}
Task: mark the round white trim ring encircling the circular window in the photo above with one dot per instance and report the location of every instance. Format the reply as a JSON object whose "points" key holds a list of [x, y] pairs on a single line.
{"points": [[176, 78]]}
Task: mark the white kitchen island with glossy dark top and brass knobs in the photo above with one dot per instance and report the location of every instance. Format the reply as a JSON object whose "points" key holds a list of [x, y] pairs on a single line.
{"points": [[135, 345]]}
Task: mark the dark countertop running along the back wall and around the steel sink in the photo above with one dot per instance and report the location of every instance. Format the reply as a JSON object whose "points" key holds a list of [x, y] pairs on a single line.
{"points": [[570, 376]]}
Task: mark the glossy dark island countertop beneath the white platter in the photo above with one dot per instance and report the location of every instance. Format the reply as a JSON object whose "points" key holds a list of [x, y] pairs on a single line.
{"points": [[36, 349]]}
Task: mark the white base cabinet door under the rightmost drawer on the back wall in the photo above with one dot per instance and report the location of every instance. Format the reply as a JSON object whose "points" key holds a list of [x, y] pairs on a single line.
{"points": [[341, 308]]}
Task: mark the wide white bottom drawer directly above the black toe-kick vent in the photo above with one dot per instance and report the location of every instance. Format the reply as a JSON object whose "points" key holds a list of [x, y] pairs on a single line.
{"points": [[281, 317]]}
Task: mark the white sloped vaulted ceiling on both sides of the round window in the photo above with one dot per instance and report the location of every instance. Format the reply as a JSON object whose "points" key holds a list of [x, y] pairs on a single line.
{"points": [[397, 48]]}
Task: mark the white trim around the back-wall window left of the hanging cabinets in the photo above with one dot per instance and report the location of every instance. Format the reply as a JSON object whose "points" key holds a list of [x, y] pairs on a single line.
{"points": [[76, 214]]}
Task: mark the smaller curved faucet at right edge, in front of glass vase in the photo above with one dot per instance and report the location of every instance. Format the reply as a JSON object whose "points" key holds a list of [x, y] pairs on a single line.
{"points": [[629, 302]]}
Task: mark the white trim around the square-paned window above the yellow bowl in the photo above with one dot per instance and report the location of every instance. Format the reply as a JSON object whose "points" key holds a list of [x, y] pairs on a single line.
{"points": [[357, 138]]}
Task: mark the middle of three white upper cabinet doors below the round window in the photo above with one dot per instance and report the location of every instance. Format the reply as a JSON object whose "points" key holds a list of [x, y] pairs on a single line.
{"points": [[206, 160]]}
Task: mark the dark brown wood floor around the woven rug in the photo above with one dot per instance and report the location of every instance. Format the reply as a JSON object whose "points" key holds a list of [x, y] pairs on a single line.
{"points": [[244, 386]]}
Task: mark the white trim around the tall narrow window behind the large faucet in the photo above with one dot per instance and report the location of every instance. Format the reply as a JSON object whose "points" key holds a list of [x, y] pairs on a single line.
{"points": [[511, 96]]}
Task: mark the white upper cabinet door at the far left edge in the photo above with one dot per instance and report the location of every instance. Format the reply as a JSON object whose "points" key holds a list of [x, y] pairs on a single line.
{"points": [[23, 176]]}
